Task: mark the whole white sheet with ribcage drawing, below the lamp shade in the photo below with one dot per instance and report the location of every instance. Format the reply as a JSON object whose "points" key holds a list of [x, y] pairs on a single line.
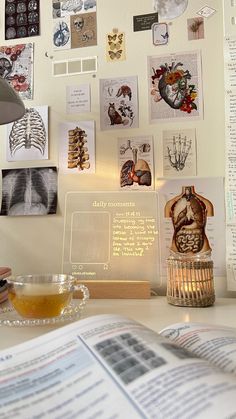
{"points": [[27, 138]]}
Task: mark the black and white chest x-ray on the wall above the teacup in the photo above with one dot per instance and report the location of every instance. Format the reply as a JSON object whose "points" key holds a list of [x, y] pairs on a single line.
{"points": [[29, 191]]}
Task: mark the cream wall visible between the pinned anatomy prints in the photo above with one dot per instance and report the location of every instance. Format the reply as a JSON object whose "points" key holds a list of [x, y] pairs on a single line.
{"points": [[34, 244]]}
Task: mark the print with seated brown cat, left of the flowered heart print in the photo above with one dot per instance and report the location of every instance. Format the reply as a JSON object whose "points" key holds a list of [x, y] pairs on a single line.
{"points": [[119, 103]]}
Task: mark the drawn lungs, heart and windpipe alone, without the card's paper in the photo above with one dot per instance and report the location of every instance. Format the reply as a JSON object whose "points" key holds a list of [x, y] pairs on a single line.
{"points": [[136, 170]]}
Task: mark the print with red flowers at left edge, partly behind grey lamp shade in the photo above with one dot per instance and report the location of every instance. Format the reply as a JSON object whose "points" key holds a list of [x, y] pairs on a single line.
{"points": [[17, 68]]}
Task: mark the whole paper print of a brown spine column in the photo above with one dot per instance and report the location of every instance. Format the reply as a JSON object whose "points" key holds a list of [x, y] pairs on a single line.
{"points": [[77, 147]]}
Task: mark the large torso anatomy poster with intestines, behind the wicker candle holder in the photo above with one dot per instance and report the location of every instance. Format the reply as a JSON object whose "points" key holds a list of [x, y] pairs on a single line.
{"points": [[195, 218]]}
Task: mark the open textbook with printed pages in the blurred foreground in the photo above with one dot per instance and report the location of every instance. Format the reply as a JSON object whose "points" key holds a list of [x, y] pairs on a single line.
{"points": [[110, 366]]}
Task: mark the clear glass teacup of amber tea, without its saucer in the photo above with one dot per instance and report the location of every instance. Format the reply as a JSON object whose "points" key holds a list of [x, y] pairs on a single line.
{"points": [[43, 296]]}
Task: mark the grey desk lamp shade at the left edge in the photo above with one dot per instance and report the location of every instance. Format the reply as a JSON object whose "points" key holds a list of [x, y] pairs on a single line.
{"points": [[11, 105]]}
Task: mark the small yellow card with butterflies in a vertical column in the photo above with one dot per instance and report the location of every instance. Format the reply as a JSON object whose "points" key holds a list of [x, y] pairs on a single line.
{"points": [[115, 46]]}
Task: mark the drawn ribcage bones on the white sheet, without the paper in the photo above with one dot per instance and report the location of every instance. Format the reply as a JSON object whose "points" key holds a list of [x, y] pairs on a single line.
{"points": [[28, 132]]}
